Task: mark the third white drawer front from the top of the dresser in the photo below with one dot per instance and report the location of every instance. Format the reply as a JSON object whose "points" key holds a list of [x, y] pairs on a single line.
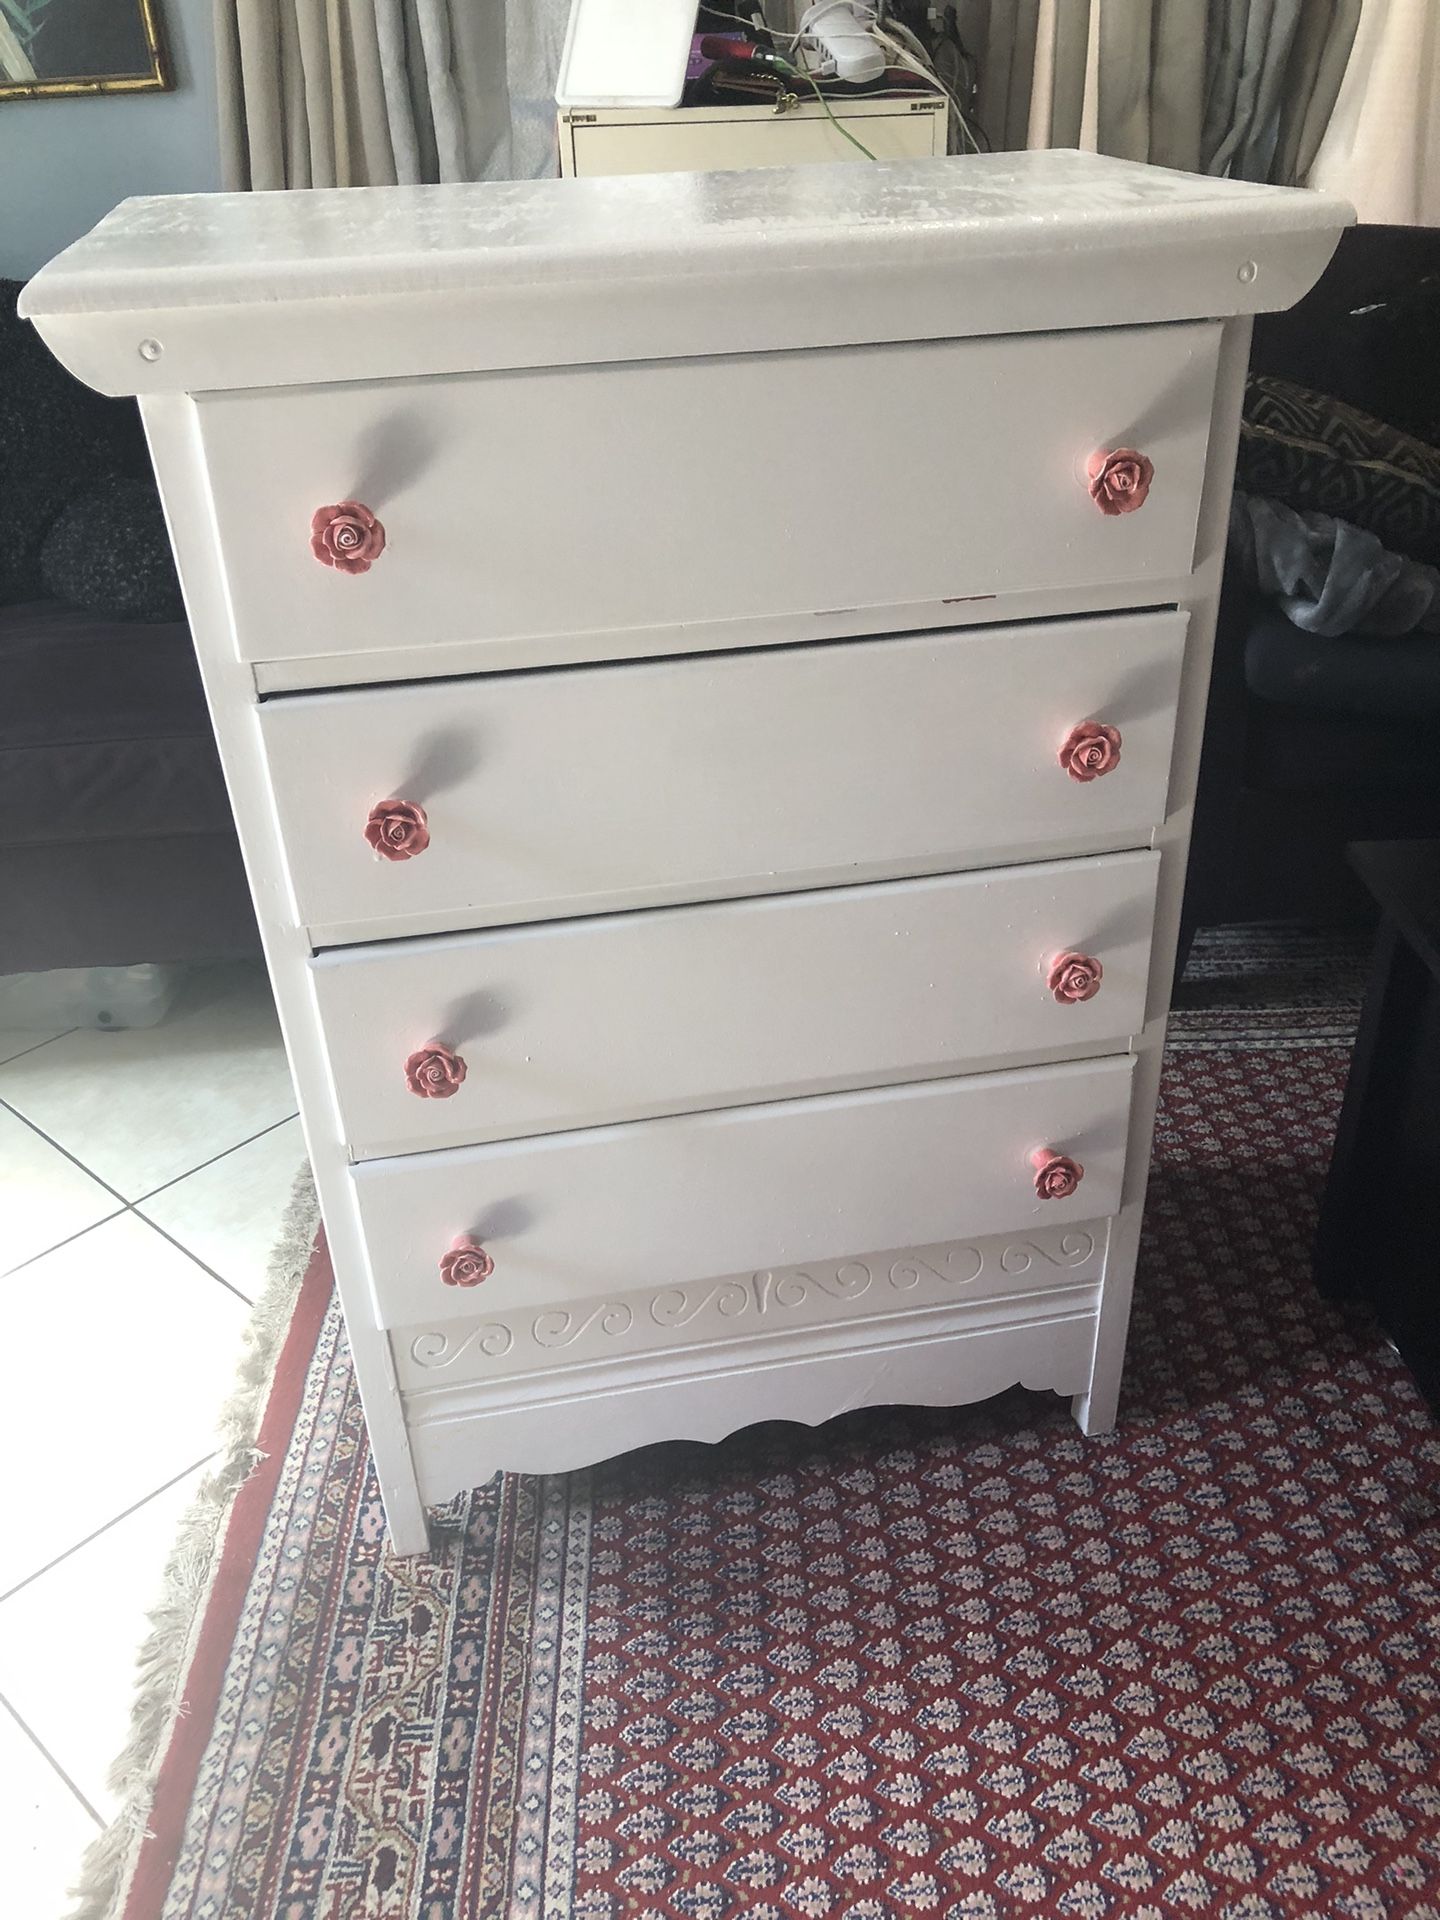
{"points": [[625, 1017]]}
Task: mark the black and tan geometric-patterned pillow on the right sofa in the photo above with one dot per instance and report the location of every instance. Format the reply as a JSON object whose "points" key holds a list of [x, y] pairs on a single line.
{"points": [[1318, 454]]}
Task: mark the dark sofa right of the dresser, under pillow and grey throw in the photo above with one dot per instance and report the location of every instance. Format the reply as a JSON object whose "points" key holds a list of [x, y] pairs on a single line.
{"points": [[1316, 742]]}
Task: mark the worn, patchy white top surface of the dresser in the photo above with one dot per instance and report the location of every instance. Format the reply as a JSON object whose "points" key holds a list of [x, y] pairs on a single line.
{"points": [[204, 249]]}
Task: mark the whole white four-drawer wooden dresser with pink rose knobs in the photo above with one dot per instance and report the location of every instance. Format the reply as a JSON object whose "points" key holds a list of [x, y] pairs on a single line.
{"points": [[711, 677]]}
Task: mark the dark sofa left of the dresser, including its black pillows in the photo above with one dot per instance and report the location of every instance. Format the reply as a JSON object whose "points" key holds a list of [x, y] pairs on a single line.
{"points": [[116, 838]]}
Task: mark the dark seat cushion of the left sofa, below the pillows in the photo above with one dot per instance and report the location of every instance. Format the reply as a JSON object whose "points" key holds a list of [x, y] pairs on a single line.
{"points": [[103, 731]]}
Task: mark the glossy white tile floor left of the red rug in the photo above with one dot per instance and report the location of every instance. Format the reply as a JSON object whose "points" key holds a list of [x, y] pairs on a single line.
{"points": [[143, 1182]]}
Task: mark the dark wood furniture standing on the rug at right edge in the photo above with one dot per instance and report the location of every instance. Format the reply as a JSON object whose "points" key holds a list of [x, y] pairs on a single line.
{"points": [[1380, 1232]]}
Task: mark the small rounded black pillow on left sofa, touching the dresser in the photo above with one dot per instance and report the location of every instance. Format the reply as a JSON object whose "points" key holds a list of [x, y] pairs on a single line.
{"points": [[108, 554]]}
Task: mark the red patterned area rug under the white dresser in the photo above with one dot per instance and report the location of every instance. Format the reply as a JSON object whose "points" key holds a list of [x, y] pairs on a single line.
{"points": [[928, 1664]]}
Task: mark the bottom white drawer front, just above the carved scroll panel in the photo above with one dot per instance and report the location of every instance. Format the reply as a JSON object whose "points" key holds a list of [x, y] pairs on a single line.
{"points": [[663, 1203]]}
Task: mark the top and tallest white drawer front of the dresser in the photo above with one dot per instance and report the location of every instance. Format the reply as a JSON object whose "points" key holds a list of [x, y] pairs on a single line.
{"points": [[606, 500]]}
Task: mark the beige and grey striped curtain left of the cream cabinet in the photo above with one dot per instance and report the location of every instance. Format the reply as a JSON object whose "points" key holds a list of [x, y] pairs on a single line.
{"points": [[373, 93]]}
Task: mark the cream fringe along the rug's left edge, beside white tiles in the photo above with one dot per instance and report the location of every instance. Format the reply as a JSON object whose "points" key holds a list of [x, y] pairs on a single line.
{"points": [[164, 1660]]}
